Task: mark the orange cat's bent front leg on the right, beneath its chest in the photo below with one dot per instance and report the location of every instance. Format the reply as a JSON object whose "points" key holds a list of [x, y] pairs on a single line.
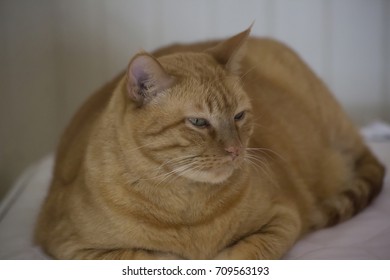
{"points": [[272, 241]]}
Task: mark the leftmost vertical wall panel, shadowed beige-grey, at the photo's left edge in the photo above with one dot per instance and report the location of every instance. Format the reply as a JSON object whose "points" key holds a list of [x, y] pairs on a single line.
{"points": [[27, 85]]}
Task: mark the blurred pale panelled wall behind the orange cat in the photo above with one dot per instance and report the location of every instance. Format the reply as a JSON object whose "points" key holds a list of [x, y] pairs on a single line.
{"points": [[54, 53]]}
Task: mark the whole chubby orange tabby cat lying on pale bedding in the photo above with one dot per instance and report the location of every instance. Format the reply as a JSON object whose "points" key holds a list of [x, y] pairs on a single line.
{"points": [[230, 149]]}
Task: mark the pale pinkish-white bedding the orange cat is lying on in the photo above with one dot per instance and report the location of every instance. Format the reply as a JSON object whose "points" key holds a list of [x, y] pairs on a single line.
{"points": [[366, 236]]}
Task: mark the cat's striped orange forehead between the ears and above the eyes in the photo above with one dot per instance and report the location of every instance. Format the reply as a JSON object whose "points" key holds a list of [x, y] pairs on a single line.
{"points": [[205, 85]]}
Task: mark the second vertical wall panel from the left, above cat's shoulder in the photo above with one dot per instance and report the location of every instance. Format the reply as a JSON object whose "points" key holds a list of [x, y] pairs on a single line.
{"points": [[80, 46]]}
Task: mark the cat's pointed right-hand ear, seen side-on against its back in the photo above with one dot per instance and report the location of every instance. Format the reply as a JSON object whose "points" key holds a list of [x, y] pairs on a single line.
{"points": [[231, 51]]}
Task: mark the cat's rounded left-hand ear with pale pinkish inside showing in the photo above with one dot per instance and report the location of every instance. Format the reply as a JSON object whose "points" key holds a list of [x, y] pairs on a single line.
{"points": [[146, 78]]}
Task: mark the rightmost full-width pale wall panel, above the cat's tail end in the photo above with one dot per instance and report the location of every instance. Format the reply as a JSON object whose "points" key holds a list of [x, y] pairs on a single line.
{"points": [[358, 56]]}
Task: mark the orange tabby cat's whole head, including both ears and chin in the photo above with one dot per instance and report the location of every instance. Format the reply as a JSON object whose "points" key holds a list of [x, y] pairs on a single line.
{"points": [[189, 113]]}
